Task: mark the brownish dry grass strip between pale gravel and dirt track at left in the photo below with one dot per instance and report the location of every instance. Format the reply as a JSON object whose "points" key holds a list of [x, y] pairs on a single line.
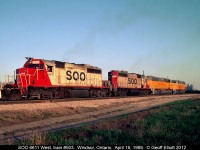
{"points": [[23, 116]]}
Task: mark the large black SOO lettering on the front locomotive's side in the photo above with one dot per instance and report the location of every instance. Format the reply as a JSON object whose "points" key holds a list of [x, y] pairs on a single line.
{"points": [[75, 75]]}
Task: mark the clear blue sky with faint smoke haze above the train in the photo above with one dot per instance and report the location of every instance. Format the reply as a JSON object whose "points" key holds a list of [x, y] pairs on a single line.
{"points": [[161, 37]]}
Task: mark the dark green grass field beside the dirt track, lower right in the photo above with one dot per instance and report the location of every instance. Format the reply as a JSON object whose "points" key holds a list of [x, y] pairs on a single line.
{"points": [[176, 123]]}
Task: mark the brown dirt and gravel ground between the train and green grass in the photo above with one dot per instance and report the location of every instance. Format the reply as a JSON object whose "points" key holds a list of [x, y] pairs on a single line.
{"points": [[20, 120]]}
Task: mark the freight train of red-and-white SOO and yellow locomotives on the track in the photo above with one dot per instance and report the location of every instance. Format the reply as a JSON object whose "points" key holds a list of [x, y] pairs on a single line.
{"points": [[47, 79]]}
